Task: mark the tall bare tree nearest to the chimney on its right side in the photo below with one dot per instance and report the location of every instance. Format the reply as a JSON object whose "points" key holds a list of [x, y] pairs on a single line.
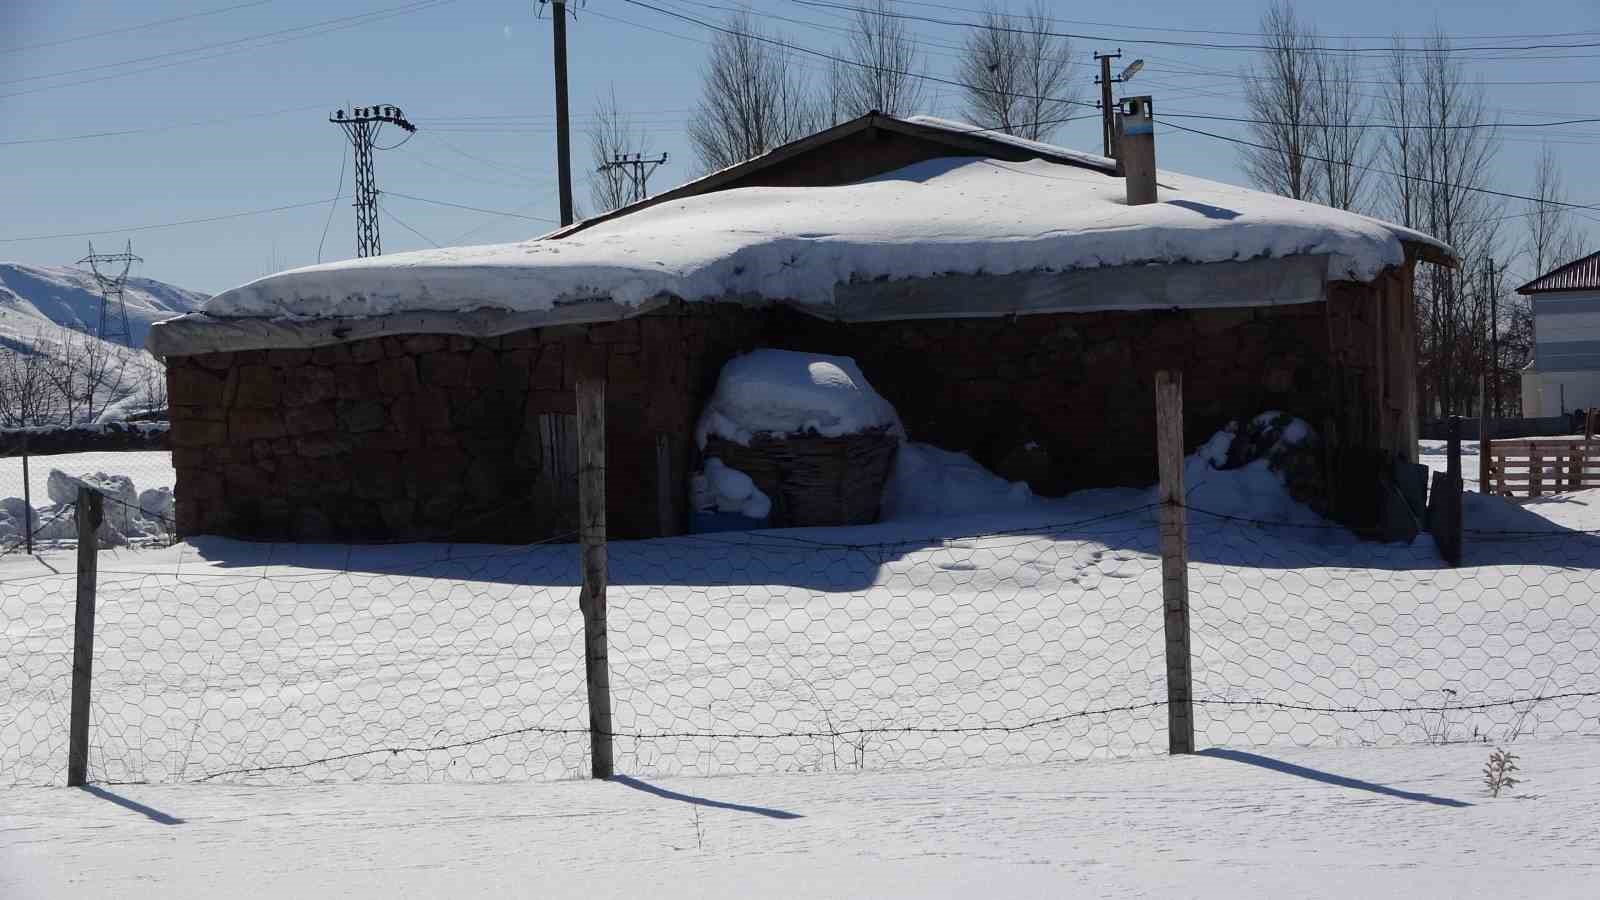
{"points": [[1281, 97]]}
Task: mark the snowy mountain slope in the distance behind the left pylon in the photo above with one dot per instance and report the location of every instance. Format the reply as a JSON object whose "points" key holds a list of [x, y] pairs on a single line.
{"points": [[33, 297]]}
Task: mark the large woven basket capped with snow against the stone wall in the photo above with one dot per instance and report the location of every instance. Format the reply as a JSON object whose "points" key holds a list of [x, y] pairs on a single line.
{"points": [[809, 432]]}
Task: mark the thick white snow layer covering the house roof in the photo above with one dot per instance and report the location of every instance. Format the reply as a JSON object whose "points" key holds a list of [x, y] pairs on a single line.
{"points": [[956, 215]]}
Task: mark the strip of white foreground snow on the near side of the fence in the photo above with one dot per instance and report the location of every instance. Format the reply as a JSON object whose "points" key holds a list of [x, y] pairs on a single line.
{"points": [[1401, 822]]}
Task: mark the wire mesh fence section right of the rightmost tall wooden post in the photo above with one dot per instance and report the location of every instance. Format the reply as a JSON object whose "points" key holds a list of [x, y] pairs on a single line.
{"points": [[1310, 640]]}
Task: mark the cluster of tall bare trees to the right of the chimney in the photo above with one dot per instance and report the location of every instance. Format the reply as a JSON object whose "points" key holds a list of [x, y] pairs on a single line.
{"points": [[1418, 153]]}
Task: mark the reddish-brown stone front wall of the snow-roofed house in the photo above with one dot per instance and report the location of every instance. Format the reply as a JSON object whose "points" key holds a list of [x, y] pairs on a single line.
{"points": [[447, 438]]}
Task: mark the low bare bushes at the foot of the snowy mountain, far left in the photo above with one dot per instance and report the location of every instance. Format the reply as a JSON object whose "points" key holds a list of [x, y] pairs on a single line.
{"points": [[76, 380]]}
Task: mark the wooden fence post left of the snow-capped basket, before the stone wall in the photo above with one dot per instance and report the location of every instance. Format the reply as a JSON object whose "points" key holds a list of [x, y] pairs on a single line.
{"points": [[591, 537]]}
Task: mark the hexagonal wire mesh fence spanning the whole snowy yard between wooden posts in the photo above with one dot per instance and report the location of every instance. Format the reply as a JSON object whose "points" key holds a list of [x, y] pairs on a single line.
{"points": [[780, 653]]}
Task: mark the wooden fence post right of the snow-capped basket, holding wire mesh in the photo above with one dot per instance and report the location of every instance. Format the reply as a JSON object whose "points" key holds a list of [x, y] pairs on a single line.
{"points": [[1175, 561]]}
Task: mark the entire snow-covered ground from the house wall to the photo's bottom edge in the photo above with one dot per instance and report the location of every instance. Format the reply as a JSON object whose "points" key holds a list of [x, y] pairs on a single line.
{"points": [[938, 705]]}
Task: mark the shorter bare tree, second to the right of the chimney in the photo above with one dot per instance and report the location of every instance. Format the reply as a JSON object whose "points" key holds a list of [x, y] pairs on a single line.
{"points": [[1340, 148]]}
